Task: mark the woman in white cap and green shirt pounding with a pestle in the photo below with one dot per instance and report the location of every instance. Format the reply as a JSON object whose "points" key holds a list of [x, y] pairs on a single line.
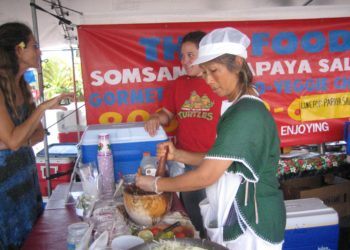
{"points": [[244, 208]]}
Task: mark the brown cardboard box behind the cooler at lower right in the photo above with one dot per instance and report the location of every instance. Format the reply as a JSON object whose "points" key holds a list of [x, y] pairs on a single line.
{"points": [[335, 194]]}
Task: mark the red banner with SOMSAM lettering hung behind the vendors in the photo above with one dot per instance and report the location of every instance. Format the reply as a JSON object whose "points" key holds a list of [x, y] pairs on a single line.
{"points": [[301, 69]]}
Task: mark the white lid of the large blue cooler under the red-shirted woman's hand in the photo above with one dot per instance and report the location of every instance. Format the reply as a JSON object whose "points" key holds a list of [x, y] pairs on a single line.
{"points": [[121, 133]]}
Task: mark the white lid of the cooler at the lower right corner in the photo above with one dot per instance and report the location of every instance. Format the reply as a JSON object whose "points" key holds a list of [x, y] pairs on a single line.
{"points": [[310, 212]]}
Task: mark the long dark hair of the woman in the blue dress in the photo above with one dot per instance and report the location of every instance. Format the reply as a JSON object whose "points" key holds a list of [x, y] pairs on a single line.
{"points": [[11, 35]]}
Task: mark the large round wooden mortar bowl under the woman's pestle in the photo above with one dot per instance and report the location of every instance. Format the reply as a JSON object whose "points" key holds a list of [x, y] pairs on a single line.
{"points": [[146, 209]]}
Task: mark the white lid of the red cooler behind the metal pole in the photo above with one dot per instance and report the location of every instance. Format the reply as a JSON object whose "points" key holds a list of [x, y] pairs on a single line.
{"points": [[63, 150]]}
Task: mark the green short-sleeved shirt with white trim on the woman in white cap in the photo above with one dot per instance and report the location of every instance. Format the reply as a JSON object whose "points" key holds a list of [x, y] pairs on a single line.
{"points": [[247, 134]]}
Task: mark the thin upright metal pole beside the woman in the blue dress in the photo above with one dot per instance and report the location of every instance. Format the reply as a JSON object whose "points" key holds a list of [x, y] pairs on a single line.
{"points": [[41, 90]]}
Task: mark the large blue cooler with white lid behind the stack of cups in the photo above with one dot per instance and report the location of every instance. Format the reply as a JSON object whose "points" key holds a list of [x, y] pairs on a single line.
{"points": [[128, 142]]}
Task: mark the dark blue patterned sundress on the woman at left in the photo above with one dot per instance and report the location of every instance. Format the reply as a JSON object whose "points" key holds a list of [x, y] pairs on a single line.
{"points": [[21, 200]]}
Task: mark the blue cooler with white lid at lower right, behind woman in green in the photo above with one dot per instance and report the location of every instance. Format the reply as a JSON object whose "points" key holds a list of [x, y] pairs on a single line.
{"points": [[311, 225]]}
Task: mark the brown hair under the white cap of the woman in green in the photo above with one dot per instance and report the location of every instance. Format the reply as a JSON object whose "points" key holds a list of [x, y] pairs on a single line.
{"points": [[245, 74]]}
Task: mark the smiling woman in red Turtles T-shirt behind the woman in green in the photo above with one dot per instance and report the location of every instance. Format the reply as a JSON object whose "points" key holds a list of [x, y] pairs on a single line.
{"points": [[197, 111]]}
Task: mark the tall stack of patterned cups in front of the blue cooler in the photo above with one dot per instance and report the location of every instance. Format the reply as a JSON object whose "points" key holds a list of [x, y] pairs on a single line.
{"points": [[105, 164]]}
